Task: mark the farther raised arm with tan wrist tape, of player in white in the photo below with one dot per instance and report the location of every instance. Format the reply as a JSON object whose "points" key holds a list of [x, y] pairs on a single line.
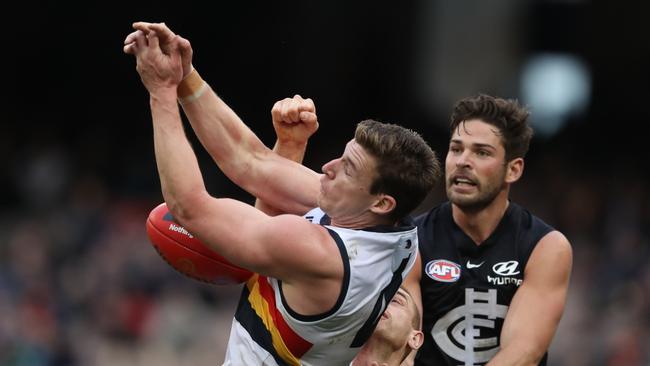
{"points": [[234, 147]]}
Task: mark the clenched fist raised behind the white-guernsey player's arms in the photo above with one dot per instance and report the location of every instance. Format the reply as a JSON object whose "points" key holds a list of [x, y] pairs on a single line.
{"points": [[294, 119]]}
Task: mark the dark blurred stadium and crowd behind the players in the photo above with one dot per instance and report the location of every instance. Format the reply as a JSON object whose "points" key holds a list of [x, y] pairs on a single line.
{"points": [[79, 283]]}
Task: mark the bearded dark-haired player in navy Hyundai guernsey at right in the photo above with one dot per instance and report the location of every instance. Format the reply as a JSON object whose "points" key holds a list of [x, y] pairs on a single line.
{"points": [[493, 277]]}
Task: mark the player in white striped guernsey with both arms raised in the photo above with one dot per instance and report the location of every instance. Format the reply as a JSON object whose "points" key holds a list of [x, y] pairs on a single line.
{"points": [[324, 278]]}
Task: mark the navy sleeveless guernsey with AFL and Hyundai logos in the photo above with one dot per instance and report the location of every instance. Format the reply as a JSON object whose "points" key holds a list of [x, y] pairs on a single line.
{"points": [[467, 288]]}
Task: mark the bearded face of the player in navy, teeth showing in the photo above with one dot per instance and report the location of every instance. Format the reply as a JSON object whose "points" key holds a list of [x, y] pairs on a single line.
{"points": [[475, 168]]}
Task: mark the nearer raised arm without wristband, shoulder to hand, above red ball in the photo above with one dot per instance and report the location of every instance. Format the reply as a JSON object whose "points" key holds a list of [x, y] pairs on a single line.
{"points": [[286, 247]]}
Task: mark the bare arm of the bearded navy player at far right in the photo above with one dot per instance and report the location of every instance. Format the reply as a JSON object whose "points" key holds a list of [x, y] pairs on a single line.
{"points": [[538, 305]]}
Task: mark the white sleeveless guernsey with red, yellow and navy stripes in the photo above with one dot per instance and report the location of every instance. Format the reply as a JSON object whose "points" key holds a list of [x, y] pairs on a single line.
{"points": [[266, 331]]}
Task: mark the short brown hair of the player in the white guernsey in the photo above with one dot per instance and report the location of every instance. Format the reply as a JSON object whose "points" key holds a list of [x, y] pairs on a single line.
{"points": [[407, 168]]}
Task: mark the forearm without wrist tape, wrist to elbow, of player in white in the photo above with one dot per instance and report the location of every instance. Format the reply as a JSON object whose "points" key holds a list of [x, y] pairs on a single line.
{"points": [[180, 176]]}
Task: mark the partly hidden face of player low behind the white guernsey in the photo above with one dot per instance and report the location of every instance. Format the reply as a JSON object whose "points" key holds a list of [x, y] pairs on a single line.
{"points": [[395, 324]]}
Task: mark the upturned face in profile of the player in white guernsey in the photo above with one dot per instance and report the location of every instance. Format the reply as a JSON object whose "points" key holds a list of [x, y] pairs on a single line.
{"points": [[345, 186]]}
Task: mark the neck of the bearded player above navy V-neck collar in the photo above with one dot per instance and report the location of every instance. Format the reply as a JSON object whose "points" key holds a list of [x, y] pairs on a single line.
{"points": [[480, 224]]}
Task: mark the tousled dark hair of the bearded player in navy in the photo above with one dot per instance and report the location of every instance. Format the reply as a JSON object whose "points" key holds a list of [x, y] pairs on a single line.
{"points": [[507, 115]]}
